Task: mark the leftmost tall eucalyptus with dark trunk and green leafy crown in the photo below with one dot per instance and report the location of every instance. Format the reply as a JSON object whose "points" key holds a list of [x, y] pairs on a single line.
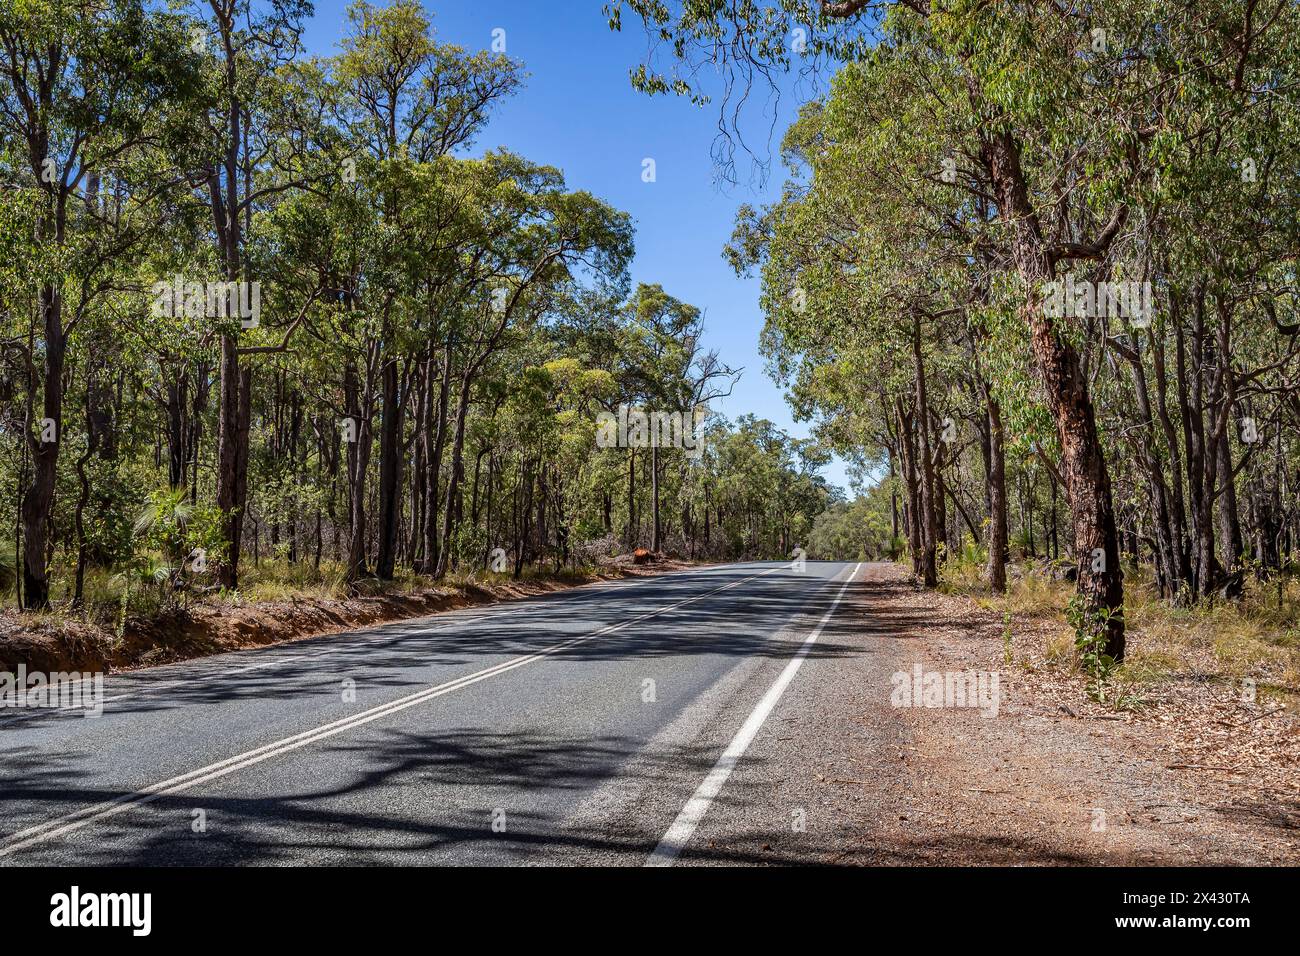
{"points": [[84, 102]]}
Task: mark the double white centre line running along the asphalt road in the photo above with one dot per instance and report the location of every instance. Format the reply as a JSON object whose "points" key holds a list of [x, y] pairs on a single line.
{"points": [[67, 824]]}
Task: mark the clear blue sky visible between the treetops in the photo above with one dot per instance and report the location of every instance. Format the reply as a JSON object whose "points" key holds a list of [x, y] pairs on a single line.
{"points": [[579, 113]]}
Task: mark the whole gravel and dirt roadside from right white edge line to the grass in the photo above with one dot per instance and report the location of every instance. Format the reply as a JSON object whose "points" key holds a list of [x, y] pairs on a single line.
{"points": [[843, 776]]}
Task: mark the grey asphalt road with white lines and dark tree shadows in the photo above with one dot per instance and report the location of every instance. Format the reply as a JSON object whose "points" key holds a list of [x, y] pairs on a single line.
{"points": [[610, 724]]}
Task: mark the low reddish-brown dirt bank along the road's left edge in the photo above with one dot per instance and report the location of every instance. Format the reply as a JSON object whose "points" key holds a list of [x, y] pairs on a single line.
{"points": [[62, 642]]}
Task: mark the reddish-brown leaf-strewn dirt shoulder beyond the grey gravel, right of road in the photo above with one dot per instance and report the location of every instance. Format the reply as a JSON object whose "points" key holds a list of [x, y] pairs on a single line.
{"points": [[1195, 777]]}
